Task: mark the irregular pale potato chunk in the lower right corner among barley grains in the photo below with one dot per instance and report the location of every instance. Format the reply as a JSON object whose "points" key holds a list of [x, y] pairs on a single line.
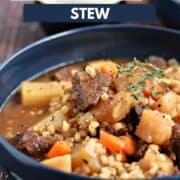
{"points": [[154, 157]]}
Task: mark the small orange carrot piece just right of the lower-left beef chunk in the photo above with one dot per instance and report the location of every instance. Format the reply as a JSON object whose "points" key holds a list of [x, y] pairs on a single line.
{"points": [[58, 149]]}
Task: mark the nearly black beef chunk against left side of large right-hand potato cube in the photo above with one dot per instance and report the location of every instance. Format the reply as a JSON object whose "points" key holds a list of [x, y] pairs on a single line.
{"points": [[133, 117]]}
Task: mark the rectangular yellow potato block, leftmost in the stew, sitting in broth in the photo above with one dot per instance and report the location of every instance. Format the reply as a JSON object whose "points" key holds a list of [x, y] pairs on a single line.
{"points": [[39, 93]]}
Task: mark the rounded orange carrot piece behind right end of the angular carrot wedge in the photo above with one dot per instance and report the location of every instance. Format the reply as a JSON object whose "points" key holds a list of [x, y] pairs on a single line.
{"points": [[130, 145]]}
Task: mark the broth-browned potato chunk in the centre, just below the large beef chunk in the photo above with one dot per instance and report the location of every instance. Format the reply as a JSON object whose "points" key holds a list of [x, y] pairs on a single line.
{"points": [[114, 109]]}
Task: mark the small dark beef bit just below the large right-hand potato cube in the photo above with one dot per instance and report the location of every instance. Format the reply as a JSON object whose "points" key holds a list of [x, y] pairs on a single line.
{"points": [[140, 150]]}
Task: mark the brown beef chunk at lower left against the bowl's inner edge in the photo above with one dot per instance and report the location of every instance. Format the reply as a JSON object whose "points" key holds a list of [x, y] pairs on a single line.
{"points": [[33, 144]]}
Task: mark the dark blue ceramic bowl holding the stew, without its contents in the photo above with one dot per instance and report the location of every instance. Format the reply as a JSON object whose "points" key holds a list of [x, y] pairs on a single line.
{"points": [[105, 41]]}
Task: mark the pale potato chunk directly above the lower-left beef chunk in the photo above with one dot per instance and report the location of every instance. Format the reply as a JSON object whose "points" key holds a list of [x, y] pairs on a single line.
{"points": [[51, 123]]}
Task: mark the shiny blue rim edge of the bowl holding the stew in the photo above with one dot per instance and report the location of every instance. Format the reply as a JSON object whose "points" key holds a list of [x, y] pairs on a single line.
{"points": [[21, 156]]}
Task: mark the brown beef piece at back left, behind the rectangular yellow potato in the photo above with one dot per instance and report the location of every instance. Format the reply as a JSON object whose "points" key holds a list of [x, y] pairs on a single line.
{"points": [[65, 74]]}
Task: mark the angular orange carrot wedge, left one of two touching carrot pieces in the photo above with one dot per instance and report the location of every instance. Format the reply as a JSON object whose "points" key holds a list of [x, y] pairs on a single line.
{"points": [[112, 143]]}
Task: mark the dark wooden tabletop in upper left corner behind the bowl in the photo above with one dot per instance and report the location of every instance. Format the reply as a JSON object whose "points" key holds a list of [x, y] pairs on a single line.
{"points": [[14, 34]]}
